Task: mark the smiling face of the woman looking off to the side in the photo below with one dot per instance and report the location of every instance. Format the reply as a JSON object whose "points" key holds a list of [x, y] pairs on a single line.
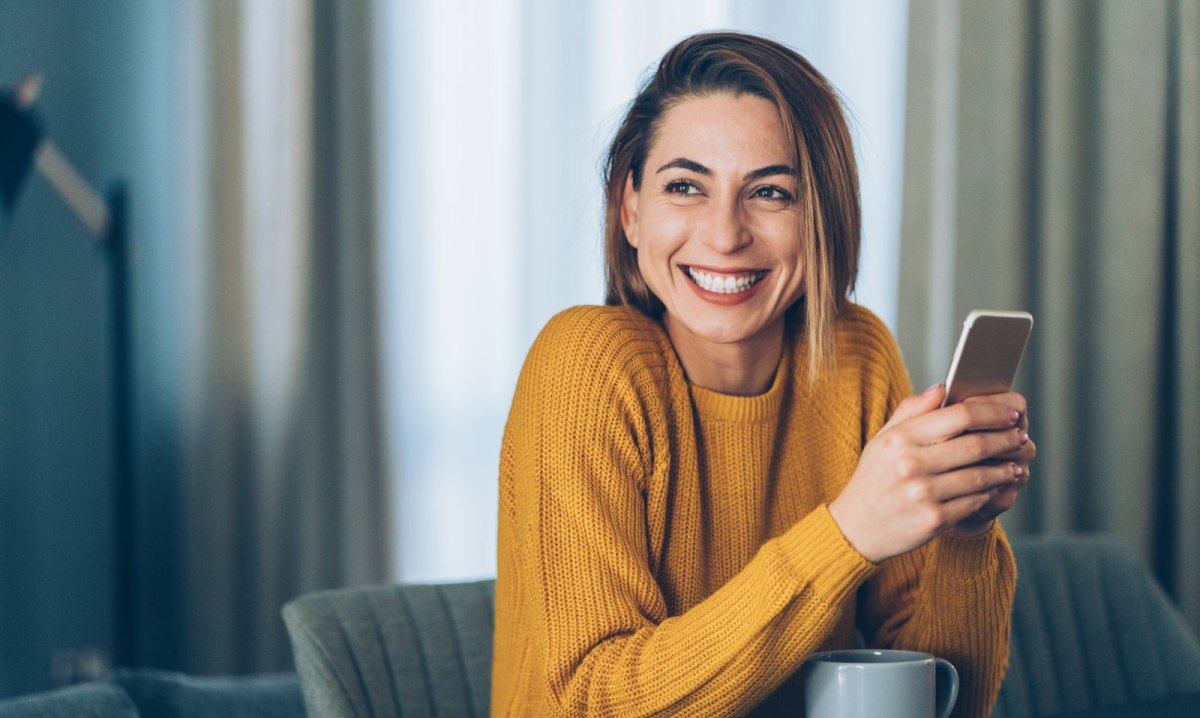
{"points": [[717, 224]]}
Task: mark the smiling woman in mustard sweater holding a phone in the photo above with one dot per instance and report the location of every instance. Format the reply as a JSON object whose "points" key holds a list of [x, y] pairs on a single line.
{"points": [[719, 474]]}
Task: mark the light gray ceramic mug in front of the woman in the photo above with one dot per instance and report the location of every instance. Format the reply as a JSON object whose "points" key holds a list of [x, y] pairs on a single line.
{"points": [[879, 684]]}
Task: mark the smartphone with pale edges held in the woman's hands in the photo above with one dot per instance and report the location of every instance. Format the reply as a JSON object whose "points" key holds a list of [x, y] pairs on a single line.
{"points": [[989, 354]]}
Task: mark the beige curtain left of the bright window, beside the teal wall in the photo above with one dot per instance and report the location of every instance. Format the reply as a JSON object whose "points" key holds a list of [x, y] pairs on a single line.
{"points": [[286, 488]]}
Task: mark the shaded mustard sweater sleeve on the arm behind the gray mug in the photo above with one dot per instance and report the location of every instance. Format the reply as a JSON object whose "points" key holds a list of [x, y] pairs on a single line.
{"points": [[953, 597]]}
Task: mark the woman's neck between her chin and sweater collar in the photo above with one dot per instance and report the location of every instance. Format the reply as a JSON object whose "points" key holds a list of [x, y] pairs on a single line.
{"points": [[742, 369]]}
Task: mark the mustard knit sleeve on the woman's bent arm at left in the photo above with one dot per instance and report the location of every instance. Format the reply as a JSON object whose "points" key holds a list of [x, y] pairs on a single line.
{"points": [[580, 470]]}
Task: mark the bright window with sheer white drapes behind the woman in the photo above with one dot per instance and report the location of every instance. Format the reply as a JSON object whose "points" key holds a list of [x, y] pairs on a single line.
{"points": [[494, 118]]}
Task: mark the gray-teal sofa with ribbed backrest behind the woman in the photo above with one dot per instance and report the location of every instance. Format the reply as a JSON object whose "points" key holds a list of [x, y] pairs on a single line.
{"points": [[1093, 636]]}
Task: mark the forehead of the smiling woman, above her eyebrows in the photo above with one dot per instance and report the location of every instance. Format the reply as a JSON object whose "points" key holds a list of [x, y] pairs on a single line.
{"points": [[723, 130]]}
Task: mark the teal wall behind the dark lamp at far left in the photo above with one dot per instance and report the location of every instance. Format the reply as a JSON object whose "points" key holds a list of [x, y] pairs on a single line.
{"points": [[110, 101]]}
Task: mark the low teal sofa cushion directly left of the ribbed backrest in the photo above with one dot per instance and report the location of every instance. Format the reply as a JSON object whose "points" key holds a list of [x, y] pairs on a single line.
{"points": [[166, 695]]}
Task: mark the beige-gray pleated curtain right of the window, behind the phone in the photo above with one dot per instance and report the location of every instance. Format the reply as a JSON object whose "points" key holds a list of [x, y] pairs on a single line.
{"points": [[1053, 164]]}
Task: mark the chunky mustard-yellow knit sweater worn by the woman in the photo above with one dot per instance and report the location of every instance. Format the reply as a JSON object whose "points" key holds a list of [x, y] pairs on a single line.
{"points": [[668, 551]]}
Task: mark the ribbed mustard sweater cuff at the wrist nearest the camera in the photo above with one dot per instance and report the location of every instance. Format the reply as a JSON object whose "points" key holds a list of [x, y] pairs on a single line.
{"points": [[823, 560]]}
